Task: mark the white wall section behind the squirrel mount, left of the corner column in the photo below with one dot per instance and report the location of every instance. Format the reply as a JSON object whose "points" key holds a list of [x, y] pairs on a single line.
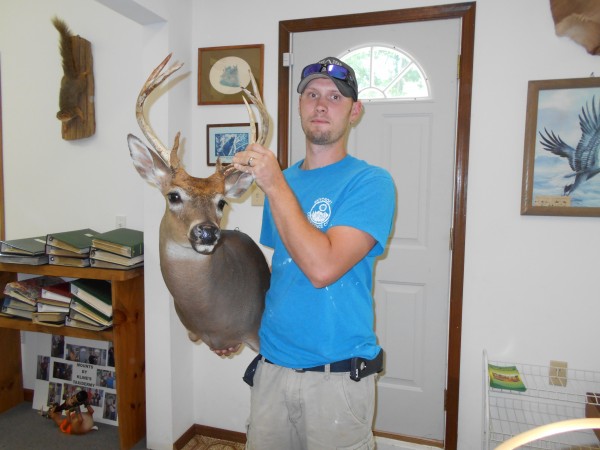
{"points": [[50, 183]]}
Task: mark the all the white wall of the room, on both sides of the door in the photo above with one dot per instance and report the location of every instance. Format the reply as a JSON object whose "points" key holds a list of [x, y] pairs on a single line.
{"points": [[529, 281]]}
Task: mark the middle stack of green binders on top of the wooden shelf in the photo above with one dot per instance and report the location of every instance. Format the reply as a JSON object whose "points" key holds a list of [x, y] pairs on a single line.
{"points": [[70, 248]]}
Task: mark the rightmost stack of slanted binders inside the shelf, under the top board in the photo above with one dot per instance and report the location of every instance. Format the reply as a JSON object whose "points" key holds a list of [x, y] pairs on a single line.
{"points": [[91, 304]]}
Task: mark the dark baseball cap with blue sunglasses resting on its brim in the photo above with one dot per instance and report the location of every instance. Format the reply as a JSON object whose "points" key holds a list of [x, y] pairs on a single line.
{"points": [[339, 72]]}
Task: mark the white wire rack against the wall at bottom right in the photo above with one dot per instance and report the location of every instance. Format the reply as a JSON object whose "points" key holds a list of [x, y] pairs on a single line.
{"points": [[508, 413]]}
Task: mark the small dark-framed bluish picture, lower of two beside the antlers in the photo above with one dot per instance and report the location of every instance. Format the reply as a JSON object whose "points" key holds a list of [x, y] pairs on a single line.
{"points": [[224, 141]]}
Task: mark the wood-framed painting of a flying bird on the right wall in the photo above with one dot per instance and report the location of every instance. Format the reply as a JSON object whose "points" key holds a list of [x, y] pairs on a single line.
{"points": [[561, 164]]}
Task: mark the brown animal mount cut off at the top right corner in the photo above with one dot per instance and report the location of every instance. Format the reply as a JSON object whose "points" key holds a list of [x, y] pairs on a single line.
{"points": [[579, 20]]}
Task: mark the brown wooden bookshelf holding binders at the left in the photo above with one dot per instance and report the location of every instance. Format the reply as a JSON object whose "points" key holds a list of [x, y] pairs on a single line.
{"points": [[127, 336]]}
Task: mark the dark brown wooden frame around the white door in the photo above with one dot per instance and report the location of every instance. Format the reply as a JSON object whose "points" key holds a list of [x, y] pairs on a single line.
{"points": [[466, 12]]}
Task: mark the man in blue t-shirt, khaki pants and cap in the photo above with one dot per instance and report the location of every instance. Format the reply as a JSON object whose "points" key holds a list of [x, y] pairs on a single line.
{"points": [[327, 218]]}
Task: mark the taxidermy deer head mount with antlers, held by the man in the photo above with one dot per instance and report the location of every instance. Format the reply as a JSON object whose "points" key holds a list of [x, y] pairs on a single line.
{"points": [[218, 278]]}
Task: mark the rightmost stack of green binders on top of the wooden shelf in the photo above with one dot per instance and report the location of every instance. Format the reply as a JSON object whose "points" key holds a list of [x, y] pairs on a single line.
{"points": [[121, 248]]}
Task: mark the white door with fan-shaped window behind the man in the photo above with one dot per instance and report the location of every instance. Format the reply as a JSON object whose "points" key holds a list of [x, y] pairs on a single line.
{"points": [[415, 141]]}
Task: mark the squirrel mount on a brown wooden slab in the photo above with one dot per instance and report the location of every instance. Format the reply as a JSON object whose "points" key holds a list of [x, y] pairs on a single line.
{"points": [[76, 97]]}
